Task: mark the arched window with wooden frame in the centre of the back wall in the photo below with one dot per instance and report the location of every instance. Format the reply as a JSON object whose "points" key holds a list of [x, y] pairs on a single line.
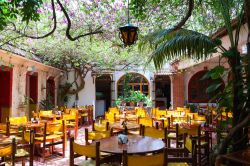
{"points": [[132, 82]]}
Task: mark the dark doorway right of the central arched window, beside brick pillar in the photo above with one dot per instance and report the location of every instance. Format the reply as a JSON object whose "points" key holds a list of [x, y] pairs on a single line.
{"points": [[162, 91]]}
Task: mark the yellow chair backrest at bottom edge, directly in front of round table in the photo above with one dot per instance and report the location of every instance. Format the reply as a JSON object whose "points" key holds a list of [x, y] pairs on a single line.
{"points": [[145, 160]]}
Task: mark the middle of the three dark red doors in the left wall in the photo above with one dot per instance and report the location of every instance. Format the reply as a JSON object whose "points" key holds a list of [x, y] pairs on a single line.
{"points": [[32, 91]]}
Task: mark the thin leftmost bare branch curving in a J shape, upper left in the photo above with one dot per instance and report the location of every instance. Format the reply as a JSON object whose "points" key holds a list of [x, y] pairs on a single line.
{"points": [[46, 35]]}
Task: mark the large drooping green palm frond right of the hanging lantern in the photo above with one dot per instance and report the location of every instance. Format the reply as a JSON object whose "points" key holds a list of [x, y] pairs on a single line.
{"points": [[179, 44]]}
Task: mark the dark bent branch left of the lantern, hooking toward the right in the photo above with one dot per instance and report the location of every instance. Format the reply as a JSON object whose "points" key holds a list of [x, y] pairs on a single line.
{"points": [[69, 26]]}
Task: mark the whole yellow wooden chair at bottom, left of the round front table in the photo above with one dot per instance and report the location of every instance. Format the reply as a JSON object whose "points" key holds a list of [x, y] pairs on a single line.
{"points": [[91, 153]]}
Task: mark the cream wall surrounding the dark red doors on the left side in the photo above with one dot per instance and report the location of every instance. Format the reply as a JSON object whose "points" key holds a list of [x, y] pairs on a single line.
{"points": [[20, 67]]}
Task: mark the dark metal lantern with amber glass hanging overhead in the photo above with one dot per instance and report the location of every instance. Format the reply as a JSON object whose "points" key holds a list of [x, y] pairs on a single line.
{"points": [[128, 33]]}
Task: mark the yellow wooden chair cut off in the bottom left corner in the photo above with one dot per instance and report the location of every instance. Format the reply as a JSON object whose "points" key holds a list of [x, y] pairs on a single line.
{"points": [[7, 151]]}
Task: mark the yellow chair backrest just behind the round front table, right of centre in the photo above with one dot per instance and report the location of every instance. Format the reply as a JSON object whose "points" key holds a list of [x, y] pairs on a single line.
{"points": [[153, 132]]}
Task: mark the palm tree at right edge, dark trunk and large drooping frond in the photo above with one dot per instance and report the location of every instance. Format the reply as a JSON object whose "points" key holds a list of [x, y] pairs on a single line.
{"points": [[170, 44]]}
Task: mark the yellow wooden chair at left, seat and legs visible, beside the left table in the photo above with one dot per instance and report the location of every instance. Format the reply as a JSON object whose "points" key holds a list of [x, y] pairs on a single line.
{"points": [[53, 134]]}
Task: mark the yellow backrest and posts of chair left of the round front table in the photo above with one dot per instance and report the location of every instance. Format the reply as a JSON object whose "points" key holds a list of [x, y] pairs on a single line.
{"points": [[92, 151]]}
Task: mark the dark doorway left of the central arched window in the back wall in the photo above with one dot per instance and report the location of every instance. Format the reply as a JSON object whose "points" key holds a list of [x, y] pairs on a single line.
{"points": [[103, 94]]}
